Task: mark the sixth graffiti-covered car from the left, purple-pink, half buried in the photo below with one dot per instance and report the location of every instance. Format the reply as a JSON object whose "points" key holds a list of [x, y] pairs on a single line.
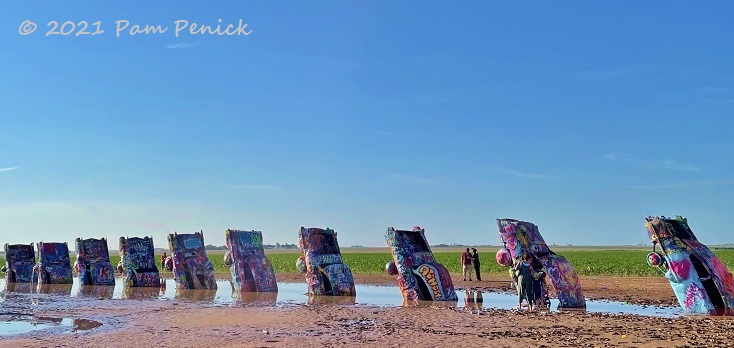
{"points": [[251, 269]]}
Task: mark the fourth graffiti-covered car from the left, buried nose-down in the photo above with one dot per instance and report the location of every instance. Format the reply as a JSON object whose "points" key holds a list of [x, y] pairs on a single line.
{"points": [[137, 257]]}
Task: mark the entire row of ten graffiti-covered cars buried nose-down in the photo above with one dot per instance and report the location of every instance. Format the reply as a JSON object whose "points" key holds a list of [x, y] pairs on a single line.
{"points": [[699, 279]]}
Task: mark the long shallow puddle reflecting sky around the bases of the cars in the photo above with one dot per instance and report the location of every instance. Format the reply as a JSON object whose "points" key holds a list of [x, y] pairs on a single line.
{"points": [[295, 293]]}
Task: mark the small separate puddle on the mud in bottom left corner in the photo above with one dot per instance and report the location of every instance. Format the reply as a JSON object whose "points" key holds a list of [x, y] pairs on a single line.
{"points": [[14, 325]]}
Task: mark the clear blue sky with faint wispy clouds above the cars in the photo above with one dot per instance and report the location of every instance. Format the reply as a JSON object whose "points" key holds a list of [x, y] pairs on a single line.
{"points": [[582, 117]]}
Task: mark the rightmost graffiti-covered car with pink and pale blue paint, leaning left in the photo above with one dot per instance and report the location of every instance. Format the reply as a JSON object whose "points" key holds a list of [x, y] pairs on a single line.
{"points": [[699, 279]]}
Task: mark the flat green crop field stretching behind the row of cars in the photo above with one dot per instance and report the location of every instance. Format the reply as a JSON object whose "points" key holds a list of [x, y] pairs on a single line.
{"points": [[596, 262]]}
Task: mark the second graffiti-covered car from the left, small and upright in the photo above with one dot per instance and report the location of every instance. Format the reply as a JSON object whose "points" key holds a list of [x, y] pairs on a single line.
{"points": [[54, 264]]}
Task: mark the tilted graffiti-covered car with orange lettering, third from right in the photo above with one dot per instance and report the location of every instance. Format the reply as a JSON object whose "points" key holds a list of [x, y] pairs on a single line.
{"points": [[419, 275]]}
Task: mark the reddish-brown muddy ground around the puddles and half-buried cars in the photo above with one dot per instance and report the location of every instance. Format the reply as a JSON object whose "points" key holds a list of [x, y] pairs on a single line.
{"points": [[188, 324]]}
